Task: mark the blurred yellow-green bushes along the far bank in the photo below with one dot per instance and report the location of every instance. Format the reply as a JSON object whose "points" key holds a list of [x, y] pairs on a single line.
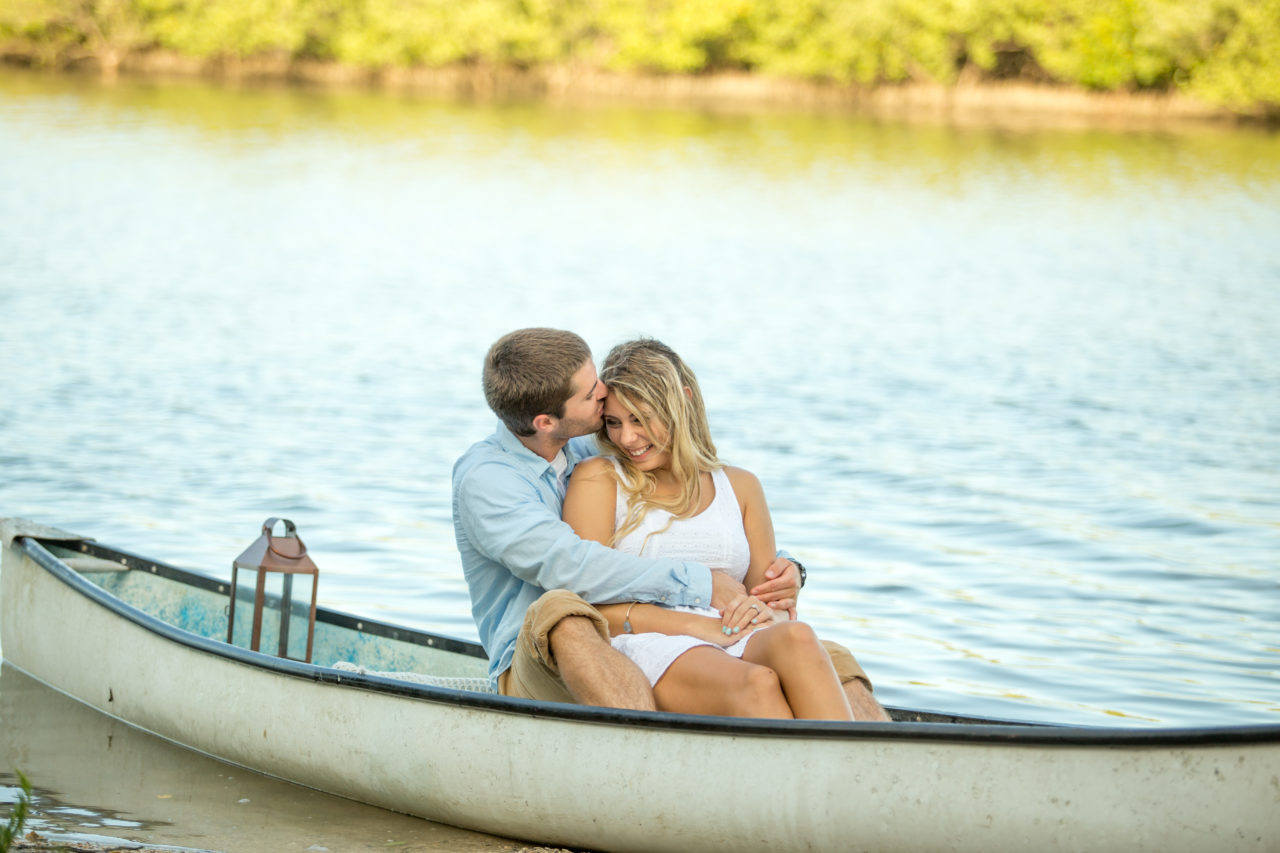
{"points": [[1226, 53]]}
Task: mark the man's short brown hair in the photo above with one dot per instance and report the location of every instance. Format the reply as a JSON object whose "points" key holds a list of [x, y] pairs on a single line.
{"points": [[531, 373]]}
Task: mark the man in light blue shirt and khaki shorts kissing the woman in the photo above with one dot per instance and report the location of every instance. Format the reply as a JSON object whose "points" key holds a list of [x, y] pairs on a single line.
{"points": [[531, 577]]}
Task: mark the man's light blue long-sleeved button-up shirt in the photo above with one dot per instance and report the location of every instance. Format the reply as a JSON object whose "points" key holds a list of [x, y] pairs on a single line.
{"points": [[515, 548]]}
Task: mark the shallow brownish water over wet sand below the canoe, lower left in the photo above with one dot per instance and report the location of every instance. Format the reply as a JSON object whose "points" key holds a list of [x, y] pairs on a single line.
{"points": [[103, 786]]}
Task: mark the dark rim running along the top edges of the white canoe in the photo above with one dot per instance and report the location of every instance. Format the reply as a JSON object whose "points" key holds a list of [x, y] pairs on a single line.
{"points": [[972, 731]]}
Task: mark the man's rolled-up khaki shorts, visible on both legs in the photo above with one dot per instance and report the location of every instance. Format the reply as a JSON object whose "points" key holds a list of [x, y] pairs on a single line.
{"points": [[534, 676]]}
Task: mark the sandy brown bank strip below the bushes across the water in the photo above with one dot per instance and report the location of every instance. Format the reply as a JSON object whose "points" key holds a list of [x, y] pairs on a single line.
{"points": [[967, 103]]}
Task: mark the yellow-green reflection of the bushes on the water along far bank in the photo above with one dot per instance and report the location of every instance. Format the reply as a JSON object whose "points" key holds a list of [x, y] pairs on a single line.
{"points": [[769, 144]]}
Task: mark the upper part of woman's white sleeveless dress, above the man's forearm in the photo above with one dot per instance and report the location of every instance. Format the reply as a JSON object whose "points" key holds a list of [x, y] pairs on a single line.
{"points": [[715, 537]]}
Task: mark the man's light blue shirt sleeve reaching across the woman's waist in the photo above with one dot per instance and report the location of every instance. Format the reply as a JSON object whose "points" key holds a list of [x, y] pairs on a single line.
{"points": [[506, 521]]}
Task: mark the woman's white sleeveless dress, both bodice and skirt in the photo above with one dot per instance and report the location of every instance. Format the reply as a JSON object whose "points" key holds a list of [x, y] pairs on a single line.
{"points": [[715, 539]]}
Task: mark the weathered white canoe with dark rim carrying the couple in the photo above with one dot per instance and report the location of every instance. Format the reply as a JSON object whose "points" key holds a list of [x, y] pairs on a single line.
{"points": [[141, 641]]}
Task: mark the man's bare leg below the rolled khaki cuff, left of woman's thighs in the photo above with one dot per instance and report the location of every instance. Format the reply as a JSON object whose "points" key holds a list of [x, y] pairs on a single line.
{"points": [[595, 672]]}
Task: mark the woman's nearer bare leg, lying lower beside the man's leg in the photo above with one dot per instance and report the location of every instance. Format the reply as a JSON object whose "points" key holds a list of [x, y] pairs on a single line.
{"points": [[707, 681]]}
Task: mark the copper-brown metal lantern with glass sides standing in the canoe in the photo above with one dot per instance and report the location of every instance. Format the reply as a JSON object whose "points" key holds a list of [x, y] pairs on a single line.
{"points": [[275, 596]]}
